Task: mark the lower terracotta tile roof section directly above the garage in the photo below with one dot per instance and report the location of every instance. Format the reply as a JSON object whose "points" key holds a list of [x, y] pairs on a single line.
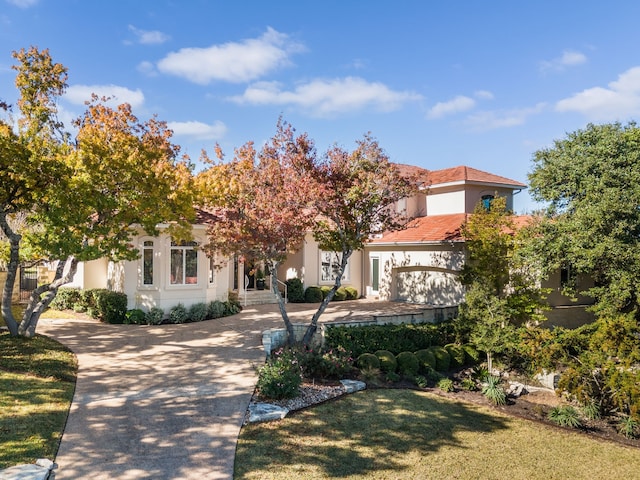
{"points": [[434, 228]]}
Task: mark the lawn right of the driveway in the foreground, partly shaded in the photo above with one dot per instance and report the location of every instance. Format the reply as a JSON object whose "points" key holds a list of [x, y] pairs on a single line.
{"points": [[406, 434]]}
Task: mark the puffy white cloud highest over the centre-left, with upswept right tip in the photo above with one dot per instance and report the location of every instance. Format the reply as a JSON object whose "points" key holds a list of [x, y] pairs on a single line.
{"points": [[231, 62]]}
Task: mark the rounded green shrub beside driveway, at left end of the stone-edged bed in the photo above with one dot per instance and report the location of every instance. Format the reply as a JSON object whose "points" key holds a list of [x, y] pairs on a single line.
{"points": [[279, 378]]}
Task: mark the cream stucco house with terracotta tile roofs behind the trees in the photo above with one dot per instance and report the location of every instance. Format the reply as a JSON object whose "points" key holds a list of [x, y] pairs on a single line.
{"points": [[419, 264]]}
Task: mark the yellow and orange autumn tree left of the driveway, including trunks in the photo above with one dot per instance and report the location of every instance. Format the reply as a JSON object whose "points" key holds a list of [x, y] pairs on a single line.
{"points": [[83, 198]]}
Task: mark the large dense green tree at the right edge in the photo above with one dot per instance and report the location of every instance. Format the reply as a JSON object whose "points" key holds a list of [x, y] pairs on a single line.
{"points": [[590, 181]]}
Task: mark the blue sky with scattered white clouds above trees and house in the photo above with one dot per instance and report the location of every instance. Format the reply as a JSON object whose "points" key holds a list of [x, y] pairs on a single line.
{"points": [[439, 84]]}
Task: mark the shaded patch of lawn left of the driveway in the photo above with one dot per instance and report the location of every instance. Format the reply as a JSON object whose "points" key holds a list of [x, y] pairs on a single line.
{"points": [[37, 381]]}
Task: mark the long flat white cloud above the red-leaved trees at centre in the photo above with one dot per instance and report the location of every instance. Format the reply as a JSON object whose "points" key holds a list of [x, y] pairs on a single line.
{"points": [[325, 98]]}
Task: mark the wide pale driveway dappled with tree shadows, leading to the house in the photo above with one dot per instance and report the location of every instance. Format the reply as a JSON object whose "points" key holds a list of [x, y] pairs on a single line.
{"points": [[167, 402]]}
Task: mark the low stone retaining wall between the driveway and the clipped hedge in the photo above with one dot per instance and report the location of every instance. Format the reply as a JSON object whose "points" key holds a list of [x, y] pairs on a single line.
{"points": [[275, 338]]}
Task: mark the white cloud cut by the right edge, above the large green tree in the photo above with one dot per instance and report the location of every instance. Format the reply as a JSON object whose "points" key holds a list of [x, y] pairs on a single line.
{"points": [[619, 101]]}
